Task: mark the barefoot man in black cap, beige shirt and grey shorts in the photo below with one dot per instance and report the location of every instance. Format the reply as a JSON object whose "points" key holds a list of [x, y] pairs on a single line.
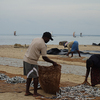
{"points": [[36, 48]]}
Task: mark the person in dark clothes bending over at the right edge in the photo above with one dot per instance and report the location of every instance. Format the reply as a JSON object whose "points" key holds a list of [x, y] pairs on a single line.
{"points": [[93, 65]]}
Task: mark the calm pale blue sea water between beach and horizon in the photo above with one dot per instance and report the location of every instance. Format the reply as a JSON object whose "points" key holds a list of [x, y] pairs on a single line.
{"points": [[27, 39]]}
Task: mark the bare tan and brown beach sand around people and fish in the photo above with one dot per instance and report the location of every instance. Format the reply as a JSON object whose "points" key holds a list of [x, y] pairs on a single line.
{"points": [[17, 91]]}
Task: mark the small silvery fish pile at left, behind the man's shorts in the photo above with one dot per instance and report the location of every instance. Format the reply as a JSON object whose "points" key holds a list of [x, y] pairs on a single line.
{"points": [[16, 79]]}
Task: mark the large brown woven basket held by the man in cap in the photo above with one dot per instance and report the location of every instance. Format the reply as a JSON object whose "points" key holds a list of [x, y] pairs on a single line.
{"points": [[49, 78]]}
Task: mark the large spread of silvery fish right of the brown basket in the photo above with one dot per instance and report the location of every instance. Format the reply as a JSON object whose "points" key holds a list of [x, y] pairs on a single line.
{"points": [[79, 92]]}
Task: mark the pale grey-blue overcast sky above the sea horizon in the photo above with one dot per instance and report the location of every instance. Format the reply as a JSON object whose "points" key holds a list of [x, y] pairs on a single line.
{"points": [[56, 16]]}
